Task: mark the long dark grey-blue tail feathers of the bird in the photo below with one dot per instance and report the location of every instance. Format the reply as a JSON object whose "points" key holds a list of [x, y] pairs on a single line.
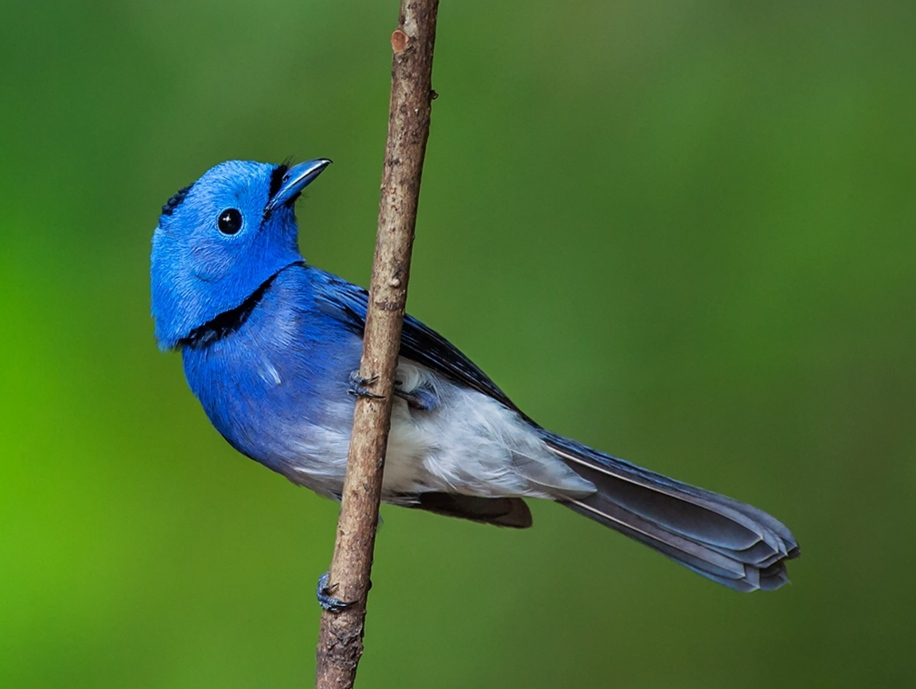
{"points": [[728, 541]]}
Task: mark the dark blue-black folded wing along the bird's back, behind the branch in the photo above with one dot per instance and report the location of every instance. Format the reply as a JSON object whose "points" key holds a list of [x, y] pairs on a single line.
{"points": [[347, 303]]}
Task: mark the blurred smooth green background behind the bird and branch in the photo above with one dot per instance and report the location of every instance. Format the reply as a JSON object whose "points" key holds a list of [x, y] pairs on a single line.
{"points": [[680, 231]]}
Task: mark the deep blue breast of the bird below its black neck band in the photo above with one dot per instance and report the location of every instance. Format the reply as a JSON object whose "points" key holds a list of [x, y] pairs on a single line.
{"points": [[280, 367]]}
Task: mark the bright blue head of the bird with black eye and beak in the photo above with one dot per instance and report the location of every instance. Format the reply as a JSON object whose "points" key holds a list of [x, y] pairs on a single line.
{"points": [[220, 239]]}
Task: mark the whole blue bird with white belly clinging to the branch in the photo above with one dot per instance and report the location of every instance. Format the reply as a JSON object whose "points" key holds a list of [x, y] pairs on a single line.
{"points": [[270, 346]]}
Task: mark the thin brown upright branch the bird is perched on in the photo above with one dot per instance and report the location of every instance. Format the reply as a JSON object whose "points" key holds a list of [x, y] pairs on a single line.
{"points": [[340, 642]]}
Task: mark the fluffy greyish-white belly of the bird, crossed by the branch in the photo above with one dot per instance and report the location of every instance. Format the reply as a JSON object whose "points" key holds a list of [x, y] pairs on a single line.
{"points": [[468, 444]]}
